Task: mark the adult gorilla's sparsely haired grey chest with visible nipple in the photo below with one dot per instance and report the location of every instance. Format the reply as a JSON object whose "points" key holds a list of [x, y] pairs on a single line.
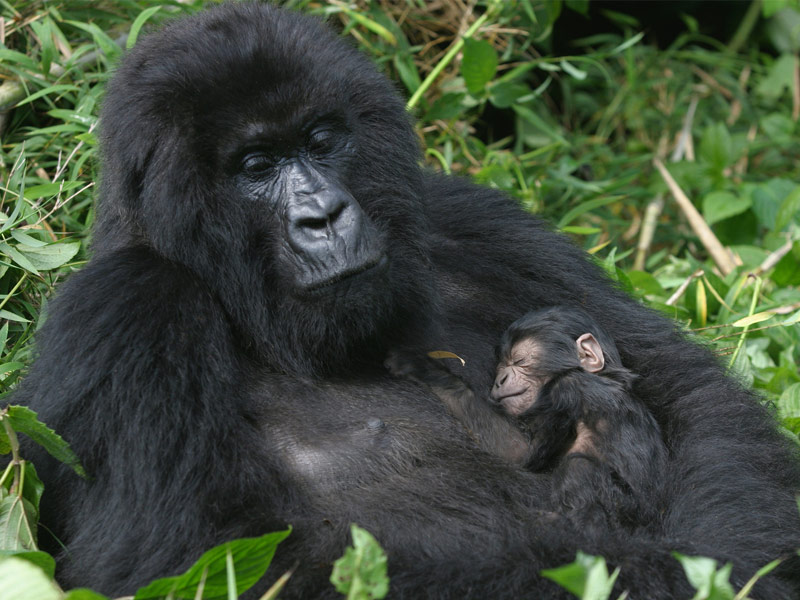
{"points": [[334, 436]]}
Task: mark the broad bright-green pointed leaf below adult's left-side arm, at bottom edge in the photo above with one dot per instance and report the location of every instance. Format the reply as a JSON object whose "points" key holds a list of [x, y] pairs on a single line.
{"points": [[250, 556]]}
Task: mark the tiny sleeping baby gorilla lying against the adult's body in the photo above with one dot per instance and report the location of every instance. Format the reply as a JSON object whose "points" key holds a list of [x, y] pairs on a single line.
{"points": [[562, 402]]}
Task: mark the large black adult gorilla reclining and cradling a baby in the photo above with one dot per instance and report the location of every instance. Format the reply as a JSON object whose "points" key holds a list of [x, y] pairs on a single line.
{"points": [[265, 235]]}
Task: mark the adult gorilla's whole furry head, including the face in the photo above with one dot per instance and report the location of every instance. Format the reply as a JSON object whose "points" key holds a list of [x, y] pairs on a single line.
{"points": [[290, 185]]}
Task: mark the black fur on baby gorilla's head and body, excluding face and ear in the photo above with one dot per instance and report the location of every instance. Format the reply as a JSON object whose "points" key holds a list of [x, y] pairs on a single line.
{"points": [[615, 477]]}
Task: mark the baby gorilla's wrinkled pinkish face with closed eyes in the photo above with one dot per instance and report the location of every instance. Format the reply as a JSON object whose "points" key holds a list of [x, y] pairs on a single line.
{"points": [[518, 380]]}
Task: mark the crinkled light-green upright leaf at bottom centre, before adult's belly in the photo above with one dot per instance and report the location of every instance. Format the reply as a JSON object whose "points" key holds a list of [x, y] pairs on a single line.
{"points": [[361, 572]]}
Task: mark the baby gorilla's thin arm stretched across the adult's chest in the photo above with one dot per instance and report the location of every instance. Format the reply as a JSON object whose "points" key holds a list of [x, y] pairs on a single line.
{"points": [[494, 432]]}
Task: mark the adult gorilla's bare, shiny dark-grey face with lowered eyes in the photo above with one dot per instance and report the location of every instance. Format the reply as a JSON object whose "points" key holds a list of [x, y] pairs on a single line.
{"points": [[321, 241]]}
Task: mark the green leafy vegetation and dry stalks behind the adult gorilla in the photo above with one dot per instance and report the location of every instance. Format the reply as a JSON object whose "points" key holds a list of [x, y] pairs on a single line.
{"points": [[661, 136]]}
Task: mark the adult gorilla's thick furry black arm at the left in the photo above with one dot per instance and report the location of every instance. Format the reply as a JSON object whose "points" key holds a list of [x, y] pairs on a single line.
{"points": [[138, 373]]}
